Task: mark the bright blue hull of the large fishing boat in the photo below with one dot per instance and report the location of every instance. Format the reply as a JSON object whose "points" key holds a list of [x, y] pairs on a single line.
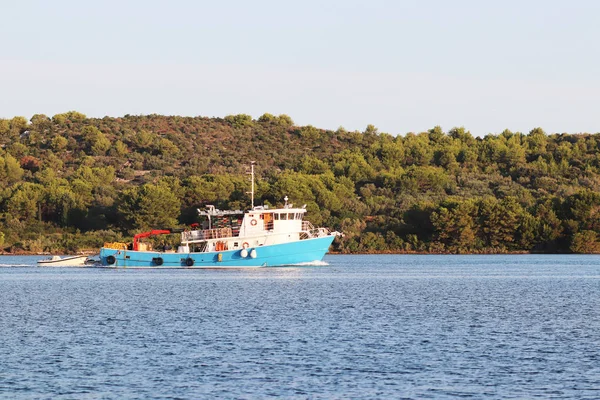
{"points": [[303, 251]]}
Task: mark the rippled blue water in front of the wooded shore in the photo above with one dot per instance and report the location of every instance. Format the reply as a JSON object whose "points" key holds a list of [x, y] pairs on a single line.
{"points": [[363, 327]]}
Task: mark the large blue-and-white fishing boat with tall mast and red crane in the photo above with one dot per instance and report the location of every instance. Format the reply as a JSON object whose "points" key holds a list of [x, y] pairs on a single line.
{"points": [[259, 237]]}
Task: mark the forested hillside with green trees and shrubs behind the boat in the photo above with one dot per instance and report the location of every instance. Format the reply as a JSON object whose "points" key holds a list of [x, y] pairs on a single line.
{"points": [[70, 183]]}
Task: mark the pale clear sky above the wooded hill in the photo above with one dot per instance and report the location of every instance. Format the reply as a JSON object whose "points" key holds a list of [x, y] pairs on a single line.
{"points": [[400, 65]]}
